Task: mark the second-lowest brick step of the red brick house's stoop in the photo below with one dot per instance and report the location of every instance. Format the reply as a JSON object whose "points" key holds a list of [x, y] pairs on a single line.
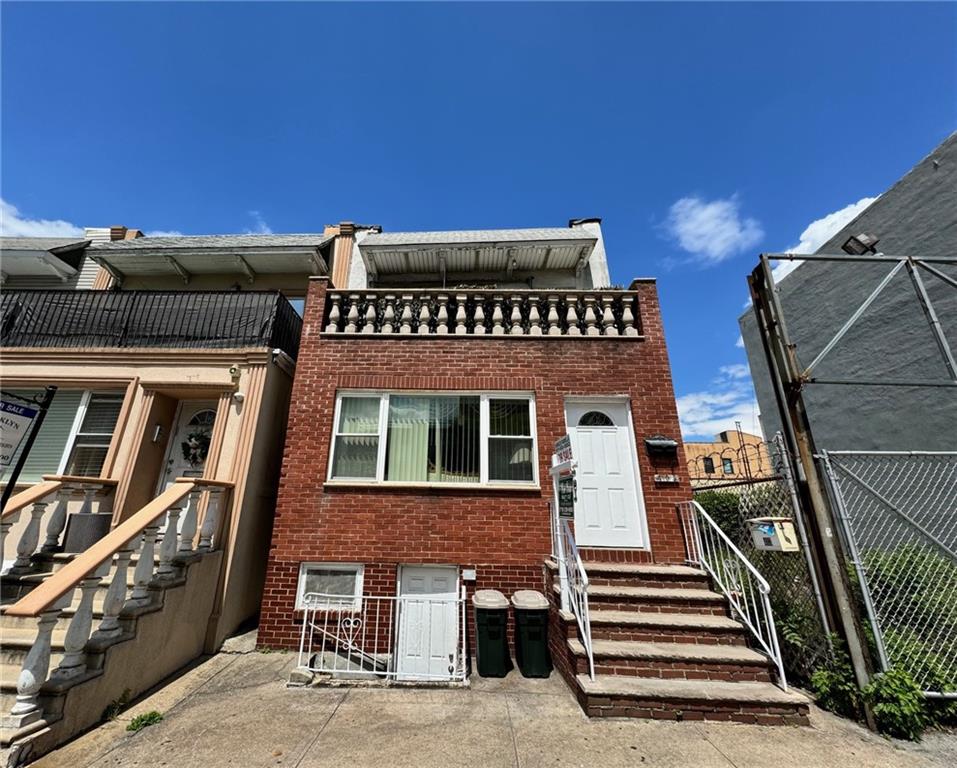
{"points": [[684, 661]]}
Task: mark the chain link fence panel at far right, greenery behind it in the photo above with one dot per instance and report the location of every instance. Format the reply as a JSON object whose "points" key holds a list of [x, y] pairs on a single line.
{"points": [[898, 515]]}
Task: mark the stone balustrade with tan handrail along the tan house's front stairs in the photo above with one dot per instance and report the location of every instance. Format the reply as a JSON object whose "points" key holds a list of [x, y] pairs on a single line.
{"points": [[110, 558]]}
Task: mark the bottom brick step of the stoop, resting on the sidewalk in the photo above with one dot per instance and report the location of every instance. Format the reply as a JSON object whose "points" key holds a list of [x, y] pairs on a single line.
{"points": [[646, 697]]}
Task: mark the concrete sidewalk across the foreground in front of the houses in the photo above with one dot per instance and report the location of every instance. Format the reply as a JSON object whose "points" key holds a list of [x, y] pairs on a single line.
{"points": [[234, 710]]}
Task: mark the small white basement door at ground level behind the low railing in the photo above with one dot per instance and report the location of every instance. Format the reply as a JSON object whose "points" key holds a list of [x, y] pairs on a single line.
{"points": [[428, 631]]}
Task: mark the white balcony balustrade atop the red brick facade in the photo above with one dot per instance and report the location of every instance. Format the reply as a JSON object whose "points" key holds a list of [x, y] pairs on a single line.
{"points": [[483, 313]]}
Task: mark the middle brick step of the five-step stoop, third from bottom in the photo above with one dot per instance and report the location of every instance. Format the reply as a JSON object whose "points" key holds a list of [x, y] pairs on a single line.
{"points": [[660, 627]]}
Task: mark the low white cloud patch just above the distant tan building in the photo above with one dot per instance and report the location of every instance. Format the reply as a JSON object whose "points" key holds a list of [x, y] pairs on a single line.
{"points": [[730, 399]]}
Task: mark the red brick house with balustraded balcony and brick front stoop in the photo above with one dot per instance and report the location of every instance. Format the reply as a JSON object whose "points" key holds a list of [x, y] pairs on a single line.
{"points": [[432, 384]]}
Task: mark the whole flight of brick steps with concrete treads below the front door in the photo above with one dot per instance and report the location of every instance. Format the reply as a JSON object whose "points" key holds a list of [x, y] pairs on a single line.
{"points": [[665, 647]]}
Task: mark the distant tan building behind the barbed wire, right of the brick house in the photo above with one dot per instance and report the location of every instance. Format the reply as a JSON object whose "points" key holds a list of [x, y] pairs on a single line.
{"points": [[735, 456]]}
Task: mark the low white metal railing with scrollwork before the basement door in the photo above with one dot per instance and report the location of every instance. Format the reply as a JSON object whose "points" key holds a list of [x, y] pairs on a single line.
{"points": [[365, 637]]}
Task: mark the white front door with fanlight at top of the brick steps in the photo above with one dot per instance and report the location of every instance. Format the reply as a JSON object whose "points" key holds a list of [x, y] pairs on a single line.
{"points": [[609, 510]]}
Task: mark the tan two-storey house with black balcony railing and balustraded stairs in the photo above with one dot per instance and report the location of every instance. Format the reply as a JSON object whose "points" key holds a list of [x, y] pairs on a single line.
{"points": [[173, 384]]}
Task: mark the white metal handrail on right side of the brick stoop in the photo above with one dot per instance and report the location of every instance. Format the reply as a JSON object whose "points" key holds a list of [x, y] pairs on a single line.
{"points": [[737, 578]]}
